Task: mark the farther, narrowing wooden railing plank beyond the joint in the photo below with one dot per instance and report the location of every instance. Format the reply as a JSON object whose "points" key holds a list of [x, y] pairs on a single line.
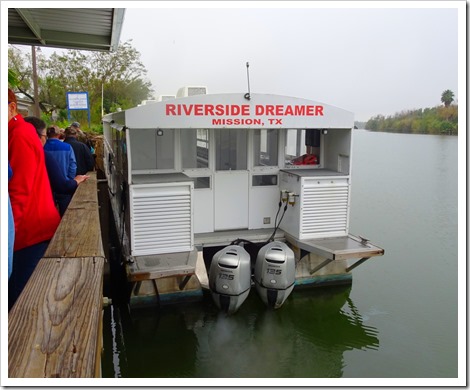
{"points": [[79, 234]]}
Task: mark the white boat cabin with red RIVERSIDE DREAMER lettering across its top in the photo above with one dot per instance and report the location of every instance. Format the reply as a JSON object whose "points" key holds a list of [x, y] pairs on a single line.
{"points": [[204, 170]]}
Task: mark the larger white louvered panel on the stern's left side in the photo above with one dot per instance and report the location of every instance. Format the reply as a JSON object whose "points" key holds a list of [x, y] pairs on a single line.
{"points": [[161, 218]]}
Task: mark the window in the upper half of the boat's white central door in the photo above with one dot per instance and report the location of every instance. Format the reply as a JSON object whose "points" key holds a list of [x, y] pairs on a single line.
{"points": [[231, 149]]}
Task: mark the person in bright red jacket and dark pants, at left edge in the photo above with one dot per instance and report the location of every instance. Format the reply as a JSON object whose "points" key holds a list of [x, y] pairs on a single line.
{"points": [[36, 217]]}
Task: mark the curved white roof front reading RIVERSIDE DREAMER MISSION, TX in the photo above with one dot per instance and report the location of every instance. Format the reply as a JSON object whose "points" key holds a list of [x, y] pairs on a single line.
{"points": [[235, 110]]}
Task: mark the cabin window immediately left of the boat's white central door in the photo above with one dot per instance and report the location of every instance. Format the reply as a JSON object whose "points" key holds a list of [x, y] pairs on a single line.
{"points": [[195, 148]]}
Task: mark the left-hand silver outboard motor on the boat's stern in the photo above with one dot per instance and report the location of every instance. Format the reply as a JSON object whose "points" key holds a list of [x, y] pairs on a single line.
{"points": [[230, 278]]}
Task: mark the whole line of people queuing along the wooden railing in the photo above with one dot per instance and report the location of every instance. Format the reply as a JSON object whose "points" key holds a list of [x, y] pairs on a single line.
{"points": [[43, 174]]}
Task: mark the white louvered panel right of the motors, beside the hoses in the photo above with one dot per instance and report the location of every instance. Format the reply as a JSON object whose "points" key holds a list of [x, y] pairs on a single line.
{"points": [[324, 208]]}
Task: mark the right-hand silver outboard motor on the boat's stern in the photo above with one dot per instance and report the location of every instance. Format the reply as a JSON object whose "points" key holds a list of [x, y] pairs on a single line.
{"points": [[275, 273]]}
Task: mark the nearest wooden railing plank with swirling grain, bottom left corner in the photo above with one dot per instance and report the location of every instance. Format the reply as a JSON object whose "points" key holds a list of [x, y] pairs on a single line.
{"points": [[54, 327]]}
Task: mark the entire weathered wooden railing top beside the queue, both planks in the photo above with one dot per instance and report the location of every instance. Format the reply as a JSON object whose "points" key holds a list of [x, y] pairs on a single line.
{"points": [[55, 327]]}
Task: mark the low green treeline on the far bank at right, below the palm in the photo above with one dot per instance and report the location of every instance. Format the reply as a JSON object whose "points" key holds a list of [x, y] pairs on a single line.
{"points": [[436, 120]]}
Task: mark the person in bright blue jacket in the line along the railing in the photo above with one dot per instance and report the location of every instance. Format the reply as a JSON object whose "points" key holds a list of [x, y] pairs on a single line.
{"points": [[62, 152]]}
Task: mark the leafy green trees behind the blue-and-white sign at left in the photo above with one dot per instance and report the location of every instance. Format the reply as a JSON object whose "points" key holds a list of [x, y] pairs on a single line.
{"points": [[118, 77]]}
